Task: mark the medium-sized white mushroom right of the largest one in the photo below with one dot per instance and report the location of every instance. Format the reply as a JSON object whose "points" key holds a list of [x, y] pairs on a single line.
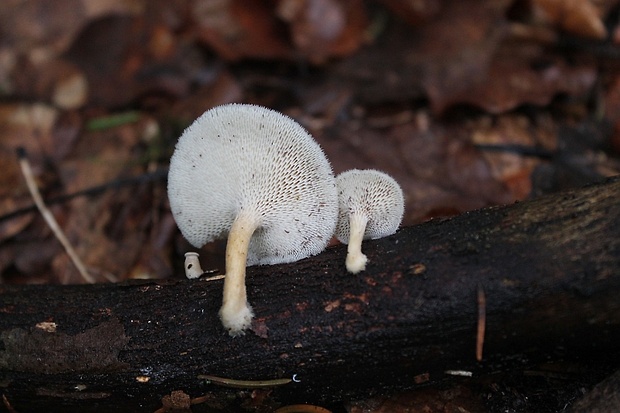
{"points": [[371, 206]]}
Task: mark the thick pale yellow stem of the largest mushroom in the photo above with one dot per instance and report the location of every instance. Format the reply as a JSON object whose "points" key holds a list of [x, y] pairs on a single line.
{"points": [[236, 314]]}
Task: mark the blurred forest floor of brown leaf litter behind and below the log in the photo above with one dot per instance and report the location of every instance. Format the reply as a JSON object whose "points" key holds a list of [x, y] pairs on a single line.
{"points": [[466, 103]]}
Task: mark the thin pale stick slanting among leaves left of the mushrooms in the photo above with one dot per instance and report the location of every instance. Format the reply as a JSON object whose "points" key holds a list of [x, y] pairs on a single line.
{"points": [[49, 217]]}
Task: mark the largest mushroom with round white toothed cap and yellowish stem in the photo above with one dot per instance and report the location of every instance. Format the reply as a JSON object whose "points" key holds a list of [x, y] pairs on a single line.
{"points": [[258, 177]]}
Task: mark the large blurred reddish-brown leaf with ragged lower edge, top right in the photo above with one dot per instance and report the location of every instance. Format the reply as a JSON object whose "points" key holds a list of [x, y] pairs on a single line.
{"points": [[464, 55]]}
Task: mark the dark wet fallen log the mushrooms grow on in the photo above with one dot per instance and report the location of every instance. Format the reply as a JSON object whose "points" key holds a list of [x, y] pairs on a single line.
{"points": [[548, 270]]}
